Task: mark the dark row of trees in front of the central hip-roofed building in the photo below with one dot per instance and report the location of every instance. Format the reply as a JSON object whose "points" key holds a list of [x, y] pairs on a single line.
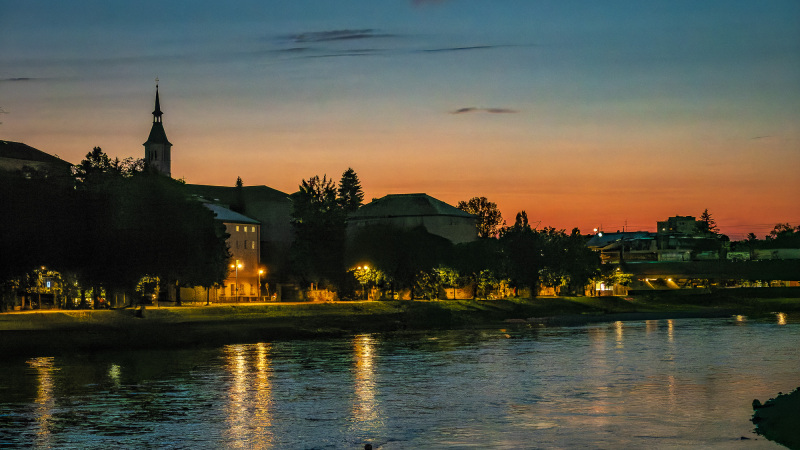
{"points": [[391, 259]]}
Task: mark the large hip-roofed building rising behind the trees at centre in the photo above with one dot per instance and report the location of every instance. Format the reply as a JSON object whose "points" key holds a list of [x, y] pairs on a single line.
{"points": [[408, 211]]}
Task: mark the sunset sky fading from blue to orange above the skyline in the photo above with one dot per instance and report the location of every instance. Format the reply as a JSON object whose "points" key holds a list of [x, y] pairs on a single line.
{"points": [[612, 114]]}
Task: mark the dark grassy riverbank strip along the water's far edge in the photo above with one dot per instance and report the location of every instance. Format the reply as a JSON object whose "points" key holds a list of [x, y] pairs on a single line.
{"points": [[51, 332]]}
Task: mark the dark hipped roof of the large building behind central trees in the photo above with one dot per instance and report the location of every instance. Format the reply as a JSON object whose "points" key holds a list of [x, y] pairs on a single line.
{"points": [[403, 205]]}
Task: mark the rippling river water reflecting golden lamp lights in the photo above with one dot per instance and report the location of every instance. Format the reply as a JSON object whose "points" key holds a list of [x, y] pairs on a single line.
{"points": [[655, 384]]}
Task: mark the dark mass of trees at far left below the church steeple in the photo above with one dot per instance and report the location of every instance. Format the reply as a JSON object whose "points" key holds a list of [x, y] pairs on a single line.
{"points": [[111, 225]]}
